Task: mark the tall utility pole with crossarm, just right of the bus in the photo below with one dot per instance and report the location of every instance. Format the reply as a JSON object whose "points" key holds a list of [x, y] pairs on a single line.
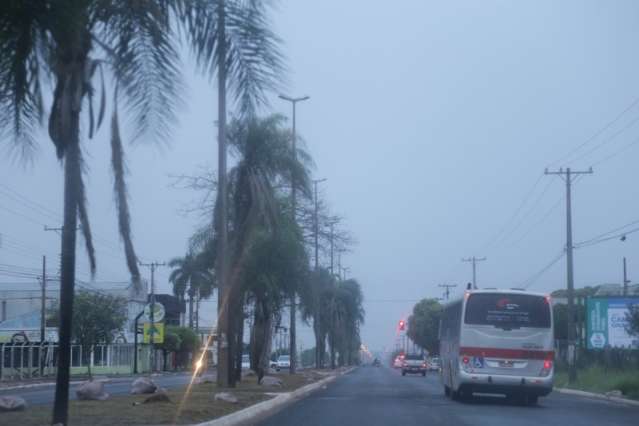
{"points": [[567, 175]]}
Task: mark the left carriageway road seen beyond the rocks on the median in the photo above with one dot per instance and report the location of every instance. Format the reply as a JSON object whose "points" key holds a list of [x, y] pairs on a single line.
{"points": [[116, 386]]}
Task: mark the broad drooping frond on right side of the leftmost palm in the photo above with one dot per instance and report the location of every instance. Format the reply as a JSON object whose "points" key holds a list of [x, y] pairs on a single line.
{"points": [[144, 59]]}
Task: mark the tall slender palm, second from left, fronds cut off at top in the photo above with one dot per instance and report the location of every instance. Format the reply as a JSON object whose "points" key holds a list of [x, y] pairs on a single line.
{"points": [[232, 39]]}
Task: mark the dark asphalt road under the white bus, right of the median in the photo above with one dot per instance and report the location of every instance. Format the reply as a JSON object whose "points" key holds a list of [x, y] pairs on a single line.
{"points": [[381, 396]]}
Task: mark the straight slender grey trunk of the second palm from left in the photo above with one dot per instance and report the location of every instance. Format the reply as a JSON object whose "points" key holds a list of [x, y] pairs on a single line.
{"points": [[224, 378]]}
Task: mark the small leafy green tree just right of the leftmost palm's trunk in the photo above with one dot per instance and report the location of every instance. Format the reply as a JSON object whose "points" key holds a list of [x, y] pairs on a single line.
{"points": [[97, 318]]}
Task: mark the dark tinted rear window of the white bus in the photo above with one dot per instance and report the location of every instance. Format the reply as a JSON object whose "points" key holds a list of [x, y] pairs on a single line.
{"points": [[507, 311]]}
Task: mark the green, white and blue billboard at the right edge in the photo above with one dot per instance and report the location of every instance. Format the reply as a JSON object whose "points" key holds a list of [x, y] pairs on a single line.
{"points": [[606, 322]]}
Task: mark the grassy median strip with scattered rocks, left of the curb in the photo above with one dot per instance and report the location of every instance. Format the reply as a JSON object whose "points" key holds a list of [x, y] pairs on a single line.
{"points": [[198, 407]]}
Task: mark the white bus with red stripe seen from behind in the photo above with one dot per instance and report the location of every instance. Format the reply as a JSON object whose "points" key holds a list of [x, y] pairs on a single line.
{"points": [[497, 341]]}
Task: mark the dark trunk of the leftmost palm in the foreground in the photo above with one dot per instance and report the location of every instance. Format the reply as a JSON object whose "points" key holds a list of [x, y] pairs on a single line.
{"points": [[72, 174]]}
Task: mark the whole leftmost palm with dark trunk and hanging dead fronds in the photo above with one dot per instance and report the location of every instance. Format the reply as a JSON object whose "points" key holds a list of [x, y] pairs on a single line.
{"points": [[70, 46]]}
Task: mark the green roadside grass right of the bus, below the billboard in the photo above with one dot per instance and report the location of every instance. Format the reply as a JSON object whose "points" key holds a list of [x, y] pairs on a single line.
{"points": [[597, 379]]}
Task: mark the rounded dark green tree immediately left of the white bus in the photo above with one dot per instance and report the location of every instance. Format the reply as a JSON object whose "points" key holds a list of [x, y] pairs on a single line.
{"points": [[423, 325]]}
